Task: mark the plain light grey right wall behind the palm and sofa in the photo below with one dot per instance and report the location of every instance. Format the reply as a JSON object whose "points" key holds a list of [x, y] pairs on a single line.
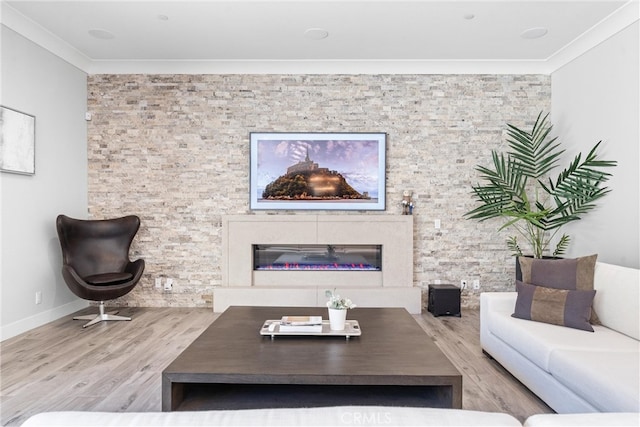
{"points": [[597, 97]]}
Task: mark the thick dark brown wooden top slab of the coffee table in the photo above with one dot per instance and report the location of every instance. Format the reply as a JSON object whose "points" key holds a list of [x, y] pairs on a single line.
{"points": [[392, 350]]}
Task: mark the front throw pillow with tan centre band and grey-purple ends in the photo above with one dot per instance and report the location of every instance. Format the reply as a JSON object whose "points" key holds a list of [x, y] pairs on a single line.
{"points": [[556, 306]]}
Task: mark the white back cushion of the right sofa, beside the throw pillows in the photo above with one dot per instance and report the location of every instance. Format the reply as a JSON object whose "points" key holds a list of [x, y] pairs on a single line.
{"points": [[617, 299]]}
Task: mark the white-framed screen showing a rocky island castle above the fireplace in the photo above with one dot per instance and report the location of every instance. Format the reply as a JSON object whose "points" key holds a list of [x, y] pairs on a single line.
{"points": [[334, 171]]}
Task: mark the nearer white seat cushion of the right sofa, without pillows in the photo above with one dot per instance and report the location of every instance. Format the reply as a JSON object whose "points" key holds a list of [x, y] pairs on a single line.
{"points": [[609, 380]]}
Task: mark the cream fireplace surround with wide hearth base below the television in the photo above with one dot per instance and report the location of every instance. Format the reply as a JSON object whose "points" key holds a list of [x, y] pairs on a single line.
{"points": [[390, 287]]}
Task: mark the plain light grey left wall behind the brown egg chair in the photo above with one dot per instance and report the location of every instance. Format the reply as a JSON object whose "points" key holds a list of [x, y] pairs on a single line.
{"points": [[41, 84]]}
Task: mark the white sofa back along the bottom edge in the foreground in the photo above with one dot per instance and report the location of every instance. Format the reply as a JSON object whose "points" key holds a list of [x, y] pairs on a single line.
{"points": [[331, 416]]}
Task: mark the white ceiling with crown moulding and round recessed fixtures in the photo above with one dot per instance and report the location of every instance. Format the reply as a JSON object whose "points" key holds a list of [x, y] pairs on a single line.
{"points": [[363, 36]]}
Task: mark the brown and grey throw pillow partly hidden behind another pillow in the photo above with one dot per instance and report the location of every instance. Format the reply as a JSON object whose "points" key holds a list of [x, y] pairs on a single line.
{"points": [[571, 274]]}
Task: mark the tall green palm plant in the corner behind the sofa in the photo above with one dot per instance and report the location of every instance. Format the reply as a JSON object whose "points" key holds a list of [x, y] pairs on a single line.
{"points": [[518, 189]]}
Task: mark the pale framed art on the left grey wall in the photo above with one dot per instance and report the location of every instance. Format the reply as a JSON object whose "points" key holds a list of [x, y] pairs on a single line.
{"points": [[17, 142]]}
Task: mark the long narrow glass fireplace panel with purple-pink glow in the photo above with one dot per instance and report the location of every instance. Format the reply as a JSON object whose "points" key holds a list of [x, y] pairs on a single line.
{"points": [[317, 257]]}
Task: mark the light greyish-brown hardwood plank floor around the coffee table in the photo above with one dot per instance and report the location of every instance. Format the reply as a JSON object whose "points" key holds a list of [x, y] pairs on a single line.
{"points": [[116, 366]]}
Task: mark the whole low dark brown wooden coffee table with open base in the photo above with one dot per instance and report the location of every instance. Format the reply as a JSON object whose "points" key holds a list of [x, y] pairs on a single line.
{"points": [[231, 366]]}
